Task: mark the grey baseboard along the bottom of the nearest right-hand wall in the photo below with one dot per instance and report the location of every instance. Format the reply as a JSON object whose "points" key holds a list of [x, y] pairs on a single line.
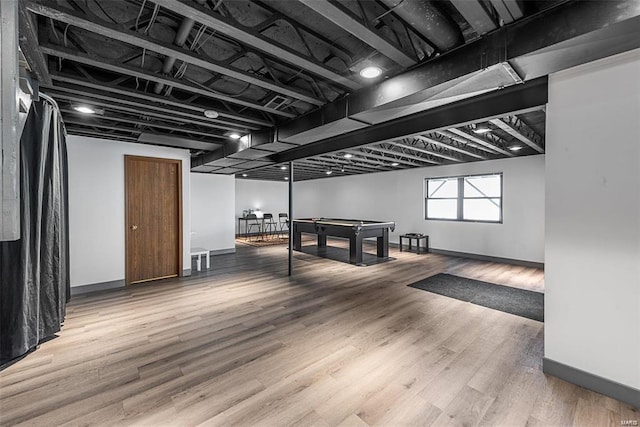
{"points": [[593, 382]]}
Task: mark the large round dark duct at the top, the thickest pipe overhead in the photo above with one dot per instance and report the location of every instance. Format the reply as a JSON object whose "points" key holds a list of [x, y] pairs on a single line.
{"points": [[427, 20]]}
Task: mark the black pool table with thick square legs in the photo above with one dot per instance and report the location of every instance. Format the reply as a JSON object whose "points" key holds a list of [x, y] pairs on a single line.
{"points": [[353, 229]]}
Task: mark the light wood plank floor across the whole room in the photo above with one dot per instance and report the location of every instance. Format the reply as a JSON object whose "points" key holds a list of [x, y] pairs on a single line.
{"points": [[243, 344]]}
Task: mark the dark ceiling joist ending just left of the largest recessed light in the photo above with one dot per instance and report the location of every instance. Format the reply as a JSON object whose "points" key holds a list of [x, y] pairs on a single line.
{"points": [[256, 40]]}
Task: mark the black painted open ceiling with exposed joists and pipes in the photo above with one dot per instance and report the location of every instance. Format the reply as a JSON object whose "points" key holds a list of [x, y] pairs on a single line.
{"points": [[276, 71]]}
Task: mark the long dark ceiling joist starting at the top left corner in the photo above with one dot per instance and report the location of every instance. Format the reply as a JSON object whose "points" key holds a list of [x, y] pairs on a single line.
{"points": [[119, 33]]}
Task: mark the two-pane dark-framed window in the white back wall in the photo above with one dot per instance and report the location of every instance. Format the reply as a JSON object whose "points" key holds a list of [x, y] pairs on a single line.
{"points": [[464, 198]]}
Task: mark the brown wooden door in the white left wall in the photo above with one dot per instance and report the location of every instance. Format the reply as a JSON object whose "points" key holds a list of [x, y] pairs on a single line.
{"points": [[153, 218]]}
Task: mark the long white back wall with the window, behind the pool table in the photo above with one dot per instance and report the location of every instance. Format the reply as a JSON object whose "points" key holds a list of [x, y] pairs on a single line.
{"points": [[399, 196]]}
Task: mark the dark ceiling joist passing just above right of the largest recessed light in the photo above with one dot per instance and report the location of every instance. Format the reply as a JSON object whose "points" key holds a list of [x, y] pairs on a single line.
{"points": [[342, 18]]}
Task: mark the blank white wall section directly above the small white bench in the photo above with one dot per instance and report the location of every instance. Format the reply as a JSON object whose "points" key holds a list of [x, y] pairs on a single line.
{"points": [[212, 211]]}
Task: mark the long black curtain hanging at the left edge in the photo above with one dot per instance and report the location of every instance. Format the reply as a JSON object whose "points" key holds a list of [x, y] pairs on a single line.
{"points": [[34, 270]]}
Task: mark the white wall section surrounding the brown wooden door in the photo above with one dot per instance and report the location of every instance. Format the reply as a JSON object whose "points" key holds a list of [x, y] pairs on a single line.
{"points": [[96, 206]]}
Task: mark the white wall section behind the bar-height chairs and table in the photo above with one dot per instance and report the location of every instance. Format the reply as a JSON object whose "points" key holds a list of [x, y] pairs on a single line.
{"points": [[268, 196]]}
